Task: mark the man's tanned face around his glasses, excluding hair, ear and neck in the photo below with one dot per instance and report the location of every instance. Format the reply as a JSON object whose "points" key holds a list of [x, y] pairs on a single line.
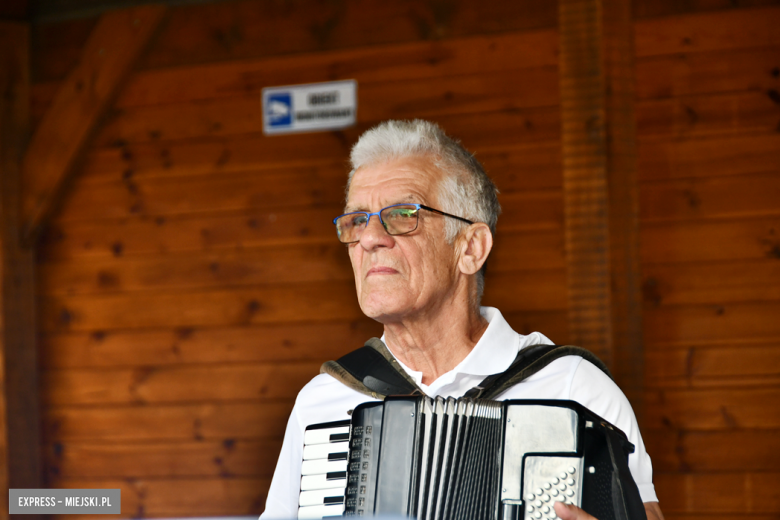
{"points": [[406, 275]]}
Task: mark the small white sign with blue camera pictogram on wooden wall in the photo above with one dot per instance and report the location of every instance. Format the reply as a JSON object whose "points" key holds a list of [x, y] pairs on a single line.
{"points": [[309, 108]]}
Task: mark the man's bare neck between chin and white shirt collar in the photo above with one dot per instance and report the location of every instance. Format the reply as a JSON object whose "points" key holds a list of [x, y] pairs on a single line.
{"points": [[435, 345]]}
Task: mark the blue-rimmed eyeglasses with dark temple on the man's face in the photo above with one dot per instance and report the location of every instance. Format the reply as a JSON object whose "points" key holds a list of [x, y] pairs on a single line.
{"points": [[398, 219]]}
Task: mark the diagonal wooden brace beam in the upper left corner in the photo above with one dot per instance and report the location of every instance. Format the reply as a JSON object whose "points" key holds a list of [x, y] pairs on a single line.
{"points": [[79, 105]]}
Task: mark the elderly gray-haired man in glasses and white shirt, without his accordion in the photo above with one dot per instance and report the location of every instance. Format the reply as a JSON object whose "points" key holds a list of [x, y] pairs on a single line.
{"points": [[418, 226]]}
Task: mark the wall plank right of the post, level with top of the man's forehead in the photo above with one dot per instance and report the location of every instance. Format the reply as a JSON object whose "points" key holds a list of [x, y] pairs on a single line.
{"points": [[708, 157]]}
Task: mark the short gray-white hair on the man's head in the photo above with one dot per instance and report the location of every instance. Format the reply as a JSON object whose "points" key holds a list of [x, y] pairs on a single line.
{"points": [[466, 190]]}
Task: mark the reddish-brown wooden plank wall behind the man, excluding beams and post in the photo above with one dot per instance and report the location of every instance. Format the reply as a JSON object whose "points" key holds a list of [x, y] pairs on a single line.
{"points": [[191, 282]]}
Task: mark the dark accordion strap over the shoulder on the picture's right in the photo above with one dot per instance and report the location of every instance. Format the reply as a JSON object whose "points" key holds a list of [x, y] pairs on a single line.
{"points": [[529, 361]]}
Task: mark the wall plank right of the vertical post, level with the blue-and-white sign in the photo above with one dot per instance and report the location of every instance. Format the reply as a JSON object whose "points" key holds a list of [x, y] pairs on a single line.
{"points": [[730, 113]]}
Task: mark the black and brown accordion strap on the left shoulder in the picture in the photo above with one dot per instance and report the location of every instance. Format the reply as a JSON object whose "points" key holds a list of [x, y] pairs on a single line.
{"points": [[372, 370]]}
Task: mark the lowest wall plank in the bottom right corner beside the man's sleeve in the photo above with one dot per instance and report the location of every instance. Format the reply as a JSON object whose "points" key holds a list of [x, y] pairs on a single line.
{"points": [[736, 493]]}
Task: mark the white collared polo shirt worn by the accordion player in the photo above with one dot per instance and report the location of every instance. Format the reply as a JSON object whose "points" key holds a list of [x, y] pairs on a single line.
{"points": [[325, 399]]}
